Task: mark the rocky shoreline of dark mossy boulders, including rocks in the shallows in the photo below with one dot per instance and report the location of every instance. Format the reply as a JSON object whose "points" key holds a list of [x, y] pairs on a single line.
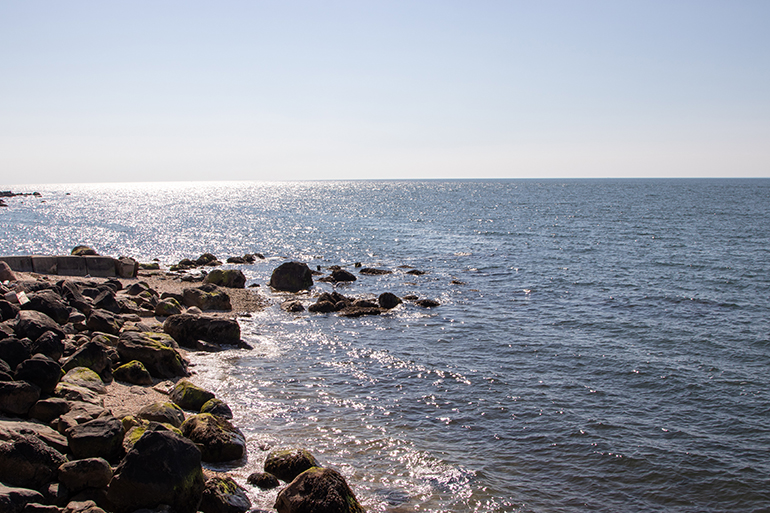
{"points": [[96, 411]]}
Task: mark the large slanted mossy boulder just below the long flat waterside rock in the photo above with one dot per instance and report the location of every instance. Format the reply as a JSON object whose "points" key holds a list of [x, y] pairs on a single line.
{"points": [[157, 352]]}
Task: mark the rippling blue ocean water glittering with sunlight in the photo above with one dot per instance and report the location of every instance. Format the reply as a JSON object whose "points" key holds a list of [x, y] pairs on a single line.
{"points": [[601, 345]]}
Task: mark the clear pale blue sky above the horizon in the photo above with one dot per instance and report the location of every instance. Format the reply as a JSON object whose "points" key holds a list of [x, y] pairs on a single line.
{"points": [[119, 91]]}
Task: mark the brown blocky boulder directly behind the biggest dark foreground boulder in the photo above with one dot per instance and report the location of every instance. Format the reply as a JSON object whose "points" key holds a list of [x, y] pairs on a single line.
{"points": [[98, 438]]}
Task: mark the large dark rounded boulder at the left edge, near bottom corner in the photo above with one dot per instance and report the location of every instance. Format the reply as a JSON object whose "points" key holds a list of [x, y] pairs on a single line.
{"points": [[28, 462]]}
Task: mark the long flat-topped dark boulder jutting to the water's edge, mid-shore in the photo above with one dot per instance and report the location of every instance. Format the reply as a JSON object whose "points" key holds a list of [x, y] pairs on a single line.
{"points": [[188, 329]]}
